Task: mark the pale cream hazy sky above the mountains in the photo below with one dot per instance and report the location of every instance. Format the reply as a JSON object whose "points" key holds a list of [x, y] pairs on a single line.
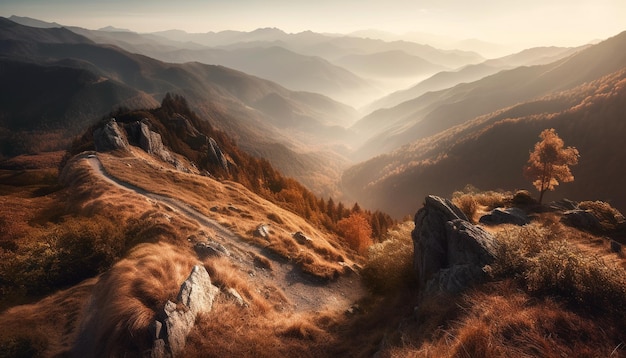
{"points": [[528, 22]]}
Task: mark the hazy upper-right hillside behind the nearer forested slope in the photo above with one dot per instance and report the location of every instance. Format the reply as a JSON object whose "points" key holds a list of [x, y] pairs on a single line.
{"points": [[434, 112]]}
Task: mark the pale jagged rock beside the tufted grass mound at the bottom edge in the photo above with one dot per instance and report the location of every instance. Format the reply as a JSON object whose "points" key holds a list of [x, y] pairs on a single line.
{"points": [[174, 323]]}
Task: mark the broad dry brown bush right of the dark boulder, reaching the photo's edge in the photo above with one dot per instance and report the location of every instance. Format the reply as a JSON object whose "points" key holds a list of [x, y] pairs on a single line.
{"points": [[549, 265]]}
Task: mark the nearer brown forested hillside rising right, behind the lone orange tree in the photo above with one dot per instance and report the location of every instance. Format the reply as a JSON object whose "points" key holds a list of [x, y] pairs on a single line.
{"points": [[489, 151]]}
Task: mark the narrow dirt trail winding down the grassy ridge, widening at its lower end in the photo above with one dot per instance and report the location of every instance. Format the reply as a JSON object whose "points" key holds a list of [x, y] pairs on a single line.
{"points": [[304, 292]]}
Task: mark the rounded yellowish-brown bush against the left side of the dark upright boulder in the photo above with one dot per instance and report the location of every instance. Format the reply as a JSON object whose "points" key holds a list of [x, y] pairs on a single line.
{"points": [[390, 263]]}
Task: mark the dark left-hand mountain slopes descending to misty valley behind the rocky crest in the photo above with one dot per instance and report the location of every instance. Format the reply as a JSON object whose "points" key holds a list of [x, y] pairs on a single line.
{"points": [[57, 83]]}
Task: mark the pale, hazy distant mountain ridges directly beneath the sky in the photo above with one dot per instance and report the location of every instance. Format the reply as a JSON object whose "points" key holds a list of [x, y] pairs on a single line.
{"points": [[349, 69]]}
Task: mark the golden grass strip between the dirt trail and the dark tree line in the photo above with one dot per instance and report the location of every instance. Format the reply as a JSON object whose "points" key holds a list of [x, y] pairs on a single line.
{"points": [[238, 209]]}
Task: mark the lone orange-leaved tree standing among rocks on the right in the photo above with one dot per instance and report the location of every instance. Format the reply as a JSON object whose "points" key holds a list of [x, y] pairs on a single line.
{"points": [[549, 162]]}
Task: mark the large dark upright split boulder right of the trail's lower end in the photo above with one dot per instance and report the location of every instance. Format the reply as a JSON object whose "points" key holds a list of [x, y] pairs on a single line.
{"points": [[450, 252]]}
